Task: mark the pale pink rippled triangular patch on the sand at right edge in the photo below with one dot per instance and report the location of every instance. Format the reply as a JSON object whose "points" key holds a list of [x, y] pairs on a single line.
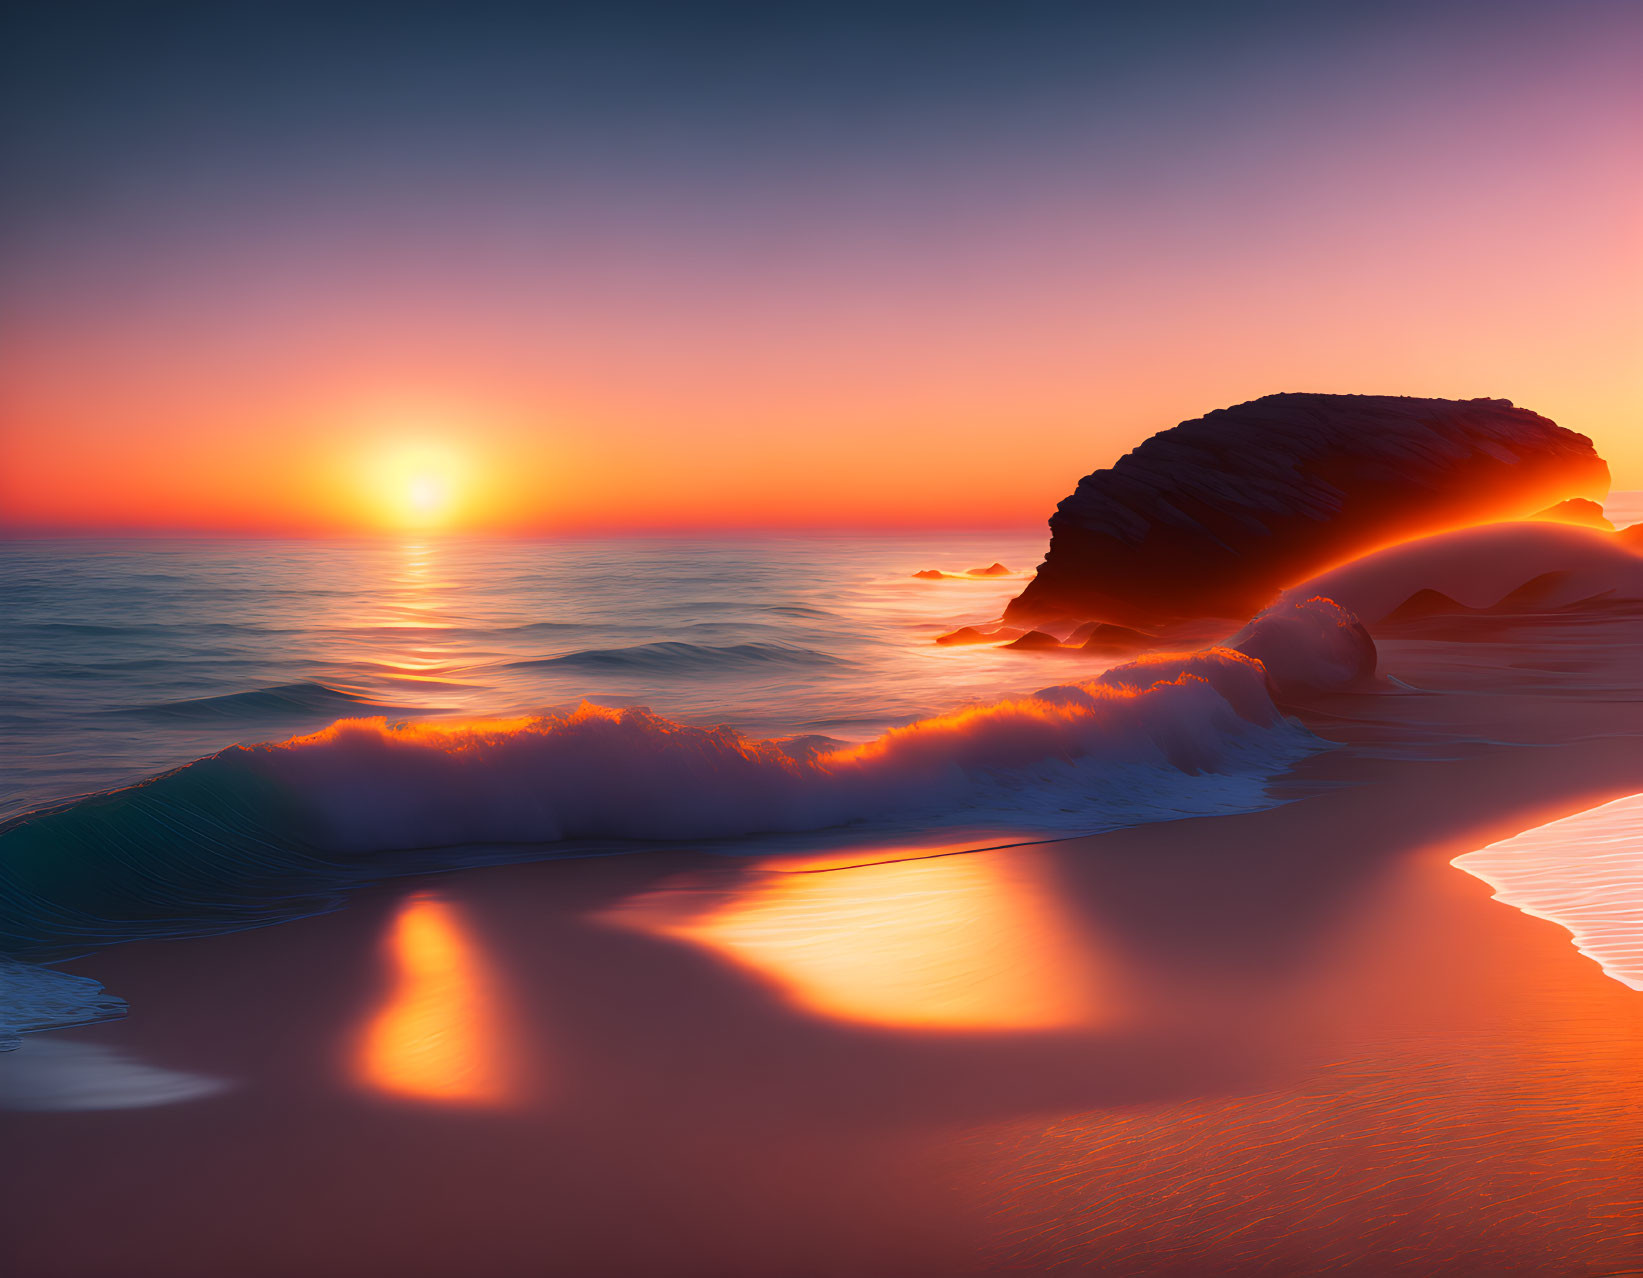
{"points": [[1583, 873]]}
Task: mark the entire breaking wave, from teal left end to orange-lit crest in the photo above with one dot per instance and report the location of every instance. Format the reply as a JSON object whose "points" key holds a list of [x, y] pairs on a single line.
{"points": [[269, 832]]}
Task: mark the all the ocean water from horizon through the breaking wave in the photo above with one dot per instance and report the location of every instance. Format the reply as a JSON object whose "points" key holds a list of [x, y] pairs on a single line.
{"points": [[224, 733]]}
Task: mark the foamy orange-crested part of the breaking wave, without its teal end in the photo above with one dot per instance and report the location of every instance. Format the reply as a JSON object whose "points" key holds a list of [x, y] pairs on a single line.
{"points": [[1169, 735]]}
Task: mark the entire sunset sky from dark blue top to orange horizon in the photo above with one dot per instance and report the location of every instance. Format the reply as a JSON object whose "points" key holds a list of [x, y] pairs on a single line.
{"points": [[555, 269]]}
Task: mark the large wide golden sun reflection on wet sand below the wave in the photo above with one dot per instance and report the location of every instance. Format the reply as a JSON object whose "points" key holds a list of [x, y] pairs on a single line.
{"points": [[972, 942]]}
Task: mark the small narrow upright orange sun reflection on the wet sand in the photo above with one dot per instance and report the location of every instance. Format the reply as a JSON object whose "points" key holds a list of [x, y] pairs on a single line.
{"points": [[441, 1032]]}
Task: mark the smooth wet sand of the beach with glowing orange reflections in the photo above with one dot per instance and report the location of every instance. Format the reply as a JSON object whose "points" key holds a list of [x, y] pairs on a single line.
{"points": [[1286, 1042]]}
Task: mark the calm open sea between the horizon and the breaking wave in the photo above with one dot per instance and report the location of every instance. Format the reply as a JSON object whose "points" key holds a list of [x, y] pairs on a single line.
{"points": [[121, 660]]}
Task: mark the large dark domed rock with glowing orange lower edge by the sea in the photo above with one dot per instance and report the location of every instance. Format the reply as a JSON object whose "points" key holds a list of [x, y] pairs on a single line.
{"points": [[1215, 517]]}
